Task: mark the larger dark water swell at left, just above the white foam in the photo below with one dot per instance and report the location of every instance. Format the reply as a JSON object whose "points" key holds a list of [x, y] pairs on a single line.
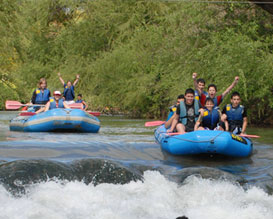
{"points": [[17, 175]]}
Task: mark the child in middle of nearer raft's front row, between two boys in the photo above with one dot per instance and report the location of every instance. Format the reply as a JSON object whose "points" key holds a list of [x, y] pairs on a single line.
{"points": [[210, 120]]}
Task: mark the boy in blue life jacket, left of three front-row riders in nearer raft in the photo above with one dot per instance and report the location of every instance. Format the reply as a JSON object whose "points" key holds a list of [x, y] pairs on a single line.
{"points": [[186, 114]]}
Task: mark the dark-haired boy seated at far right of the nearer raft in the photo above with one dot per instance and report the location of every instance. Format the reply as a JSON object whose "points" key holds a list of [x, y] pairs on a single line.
{"points": [[235, 114]]}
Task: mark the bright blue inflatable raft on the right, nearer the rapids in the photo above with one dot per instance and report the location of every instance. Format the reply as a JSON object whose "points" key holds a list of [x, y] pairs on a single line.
{"points": [[204, 142]]}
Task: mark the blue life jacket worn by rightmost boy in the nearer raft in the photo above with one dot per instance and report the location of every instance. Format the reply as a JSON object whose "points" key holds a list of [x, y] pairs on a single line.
{"points": [[235, 115]]}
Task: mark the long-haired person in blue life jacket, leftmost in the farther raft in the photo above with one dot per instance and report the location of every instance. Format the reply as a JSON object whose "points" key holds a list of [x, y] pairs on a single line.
{"points": [[41, 94]]}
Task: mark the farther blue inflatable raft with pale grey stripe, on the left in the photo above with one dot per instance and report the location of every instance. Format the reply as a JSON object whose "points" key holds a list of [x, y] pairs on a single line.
{"points": [[57, 120]]}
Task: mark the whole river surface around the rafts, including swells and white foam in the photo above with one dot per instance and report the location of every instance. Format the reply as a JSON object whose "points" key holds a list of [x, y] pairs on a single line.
{"points": [[121, 173]]}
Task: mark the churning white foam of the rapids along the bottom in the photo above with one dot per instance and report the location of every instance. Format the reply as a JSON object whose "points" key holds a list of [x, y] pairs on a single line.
{"points": [[155, 198]]}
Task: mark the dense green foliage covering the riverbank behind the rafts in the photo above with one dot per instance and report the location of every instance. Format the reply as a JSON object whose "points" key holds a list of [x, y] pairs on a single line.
{"points": [[136, 56]]}
